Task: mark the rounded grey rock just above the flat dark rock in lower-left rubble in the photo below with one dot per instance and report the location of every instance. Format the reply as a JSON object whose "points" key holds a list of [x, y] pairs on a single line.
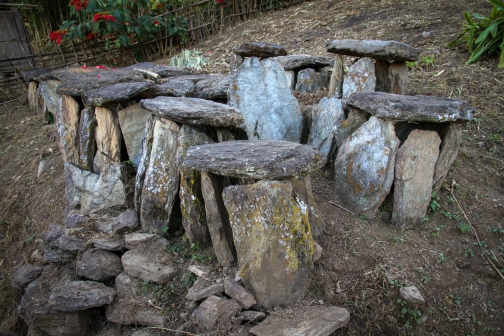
{"points": [[99, 265]]}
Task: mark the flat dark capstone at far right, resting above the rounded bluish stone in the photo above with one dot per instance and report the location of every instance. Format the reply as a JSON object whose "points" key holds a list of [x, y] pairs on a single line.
{"points": [[412, 108]]}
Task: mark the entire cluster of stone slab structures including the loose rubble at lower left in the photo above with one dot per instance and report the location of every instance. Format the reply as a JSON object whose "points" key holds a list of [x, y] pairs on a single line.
{"points": [[178, 147]]}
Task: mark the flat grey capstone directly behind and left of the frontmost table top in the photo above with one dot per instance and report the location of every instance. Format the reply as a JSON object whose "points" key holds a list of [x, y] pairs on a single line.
{"points": [[194, 111]]}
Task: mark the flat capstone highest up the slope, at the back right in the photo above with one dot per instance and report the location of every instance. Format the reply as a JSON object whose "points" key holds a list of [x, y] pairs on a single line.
{"points": [[387, 50]]}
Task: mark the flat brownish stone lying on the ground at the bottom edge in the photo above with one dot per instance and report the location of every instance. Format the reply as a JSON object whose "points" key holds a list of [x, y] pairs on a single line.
{"points": [[309, 321]]}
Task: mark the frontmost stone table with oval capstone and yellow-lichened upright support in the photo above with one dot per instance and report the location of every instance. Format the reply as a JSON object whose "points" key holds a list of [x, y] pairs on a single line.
{"points": [[270, 221]]}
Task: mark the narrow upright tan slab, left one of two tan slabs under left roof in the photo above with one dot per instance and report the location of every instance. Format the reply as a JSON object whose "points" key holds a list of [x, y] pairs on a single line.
{"points": [[67, 125]]}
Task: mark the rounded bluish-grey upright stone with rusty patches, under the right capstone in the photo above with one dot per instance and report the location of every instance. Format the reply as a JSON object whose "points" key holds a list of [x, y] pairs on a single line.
{"points": [[364, 167]]}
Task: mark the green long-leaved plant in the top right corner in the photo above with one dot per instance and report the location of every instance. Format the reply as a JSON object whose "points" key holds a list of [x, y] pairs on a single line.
{"points": [[484, 34]]}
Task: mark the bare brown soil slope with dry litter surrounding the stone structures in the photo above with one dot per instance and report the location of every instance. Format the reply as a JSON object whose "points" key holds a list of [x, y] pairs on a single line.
{"points": [[365, 262]]}
